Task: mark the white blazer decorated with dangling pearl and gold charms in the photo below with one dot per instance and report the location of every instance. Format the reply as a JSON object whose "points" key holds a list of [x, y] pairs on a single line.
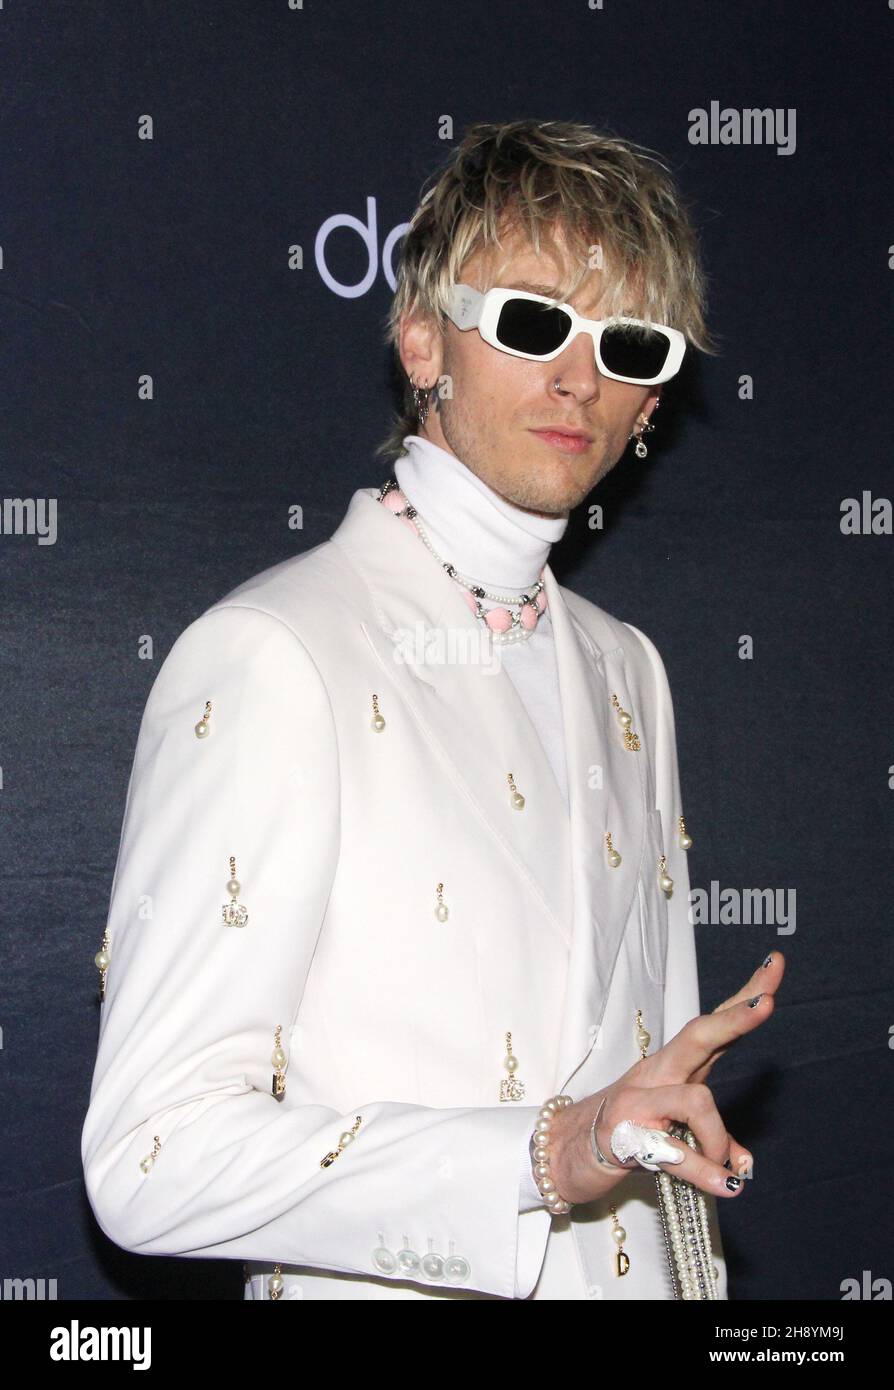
{"points": [[341, 836]]}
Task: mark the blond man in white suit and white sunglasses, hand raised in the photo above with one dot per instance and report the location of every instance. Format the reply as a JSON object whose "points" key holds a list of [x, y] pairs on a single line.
{"points": [[404, 853]]}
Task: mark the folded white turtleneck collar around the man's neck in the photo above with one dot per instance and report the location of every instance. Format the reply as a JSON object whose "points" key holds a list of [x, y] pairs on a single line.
{"points": [[487, 539]]}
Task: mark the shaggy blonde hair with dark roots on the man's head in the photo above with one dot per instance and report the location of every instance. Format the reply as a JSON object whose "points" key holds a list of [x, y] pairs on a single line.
{"points": [[608, 195]]}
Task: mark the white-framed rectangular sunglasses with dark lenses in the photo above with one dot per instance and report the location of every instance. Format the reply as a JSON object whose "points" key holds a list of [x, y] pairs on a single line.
{"points": [[535, 327]]}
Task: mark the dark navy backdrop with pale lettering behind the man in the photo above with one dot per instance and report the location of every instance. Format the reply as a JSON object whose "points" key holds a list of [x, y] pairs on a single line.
{"points": [[170, 258]]}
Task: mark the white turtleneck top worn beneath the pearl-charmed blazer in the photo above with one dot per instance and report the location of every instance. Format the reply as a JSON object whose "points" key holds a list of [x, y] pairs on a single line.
{"points": [[503, 548]]}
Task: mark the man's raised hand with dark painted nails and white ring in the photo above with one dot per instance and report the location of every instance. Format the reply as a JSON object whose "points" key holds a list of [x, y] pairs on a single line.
{"points": [[661, 1089]]}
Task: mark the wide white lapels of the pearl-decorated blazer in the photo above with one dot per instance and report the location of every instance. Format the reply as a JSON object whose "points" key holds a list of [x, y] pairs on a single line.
{"points": [[472, 715]]}
